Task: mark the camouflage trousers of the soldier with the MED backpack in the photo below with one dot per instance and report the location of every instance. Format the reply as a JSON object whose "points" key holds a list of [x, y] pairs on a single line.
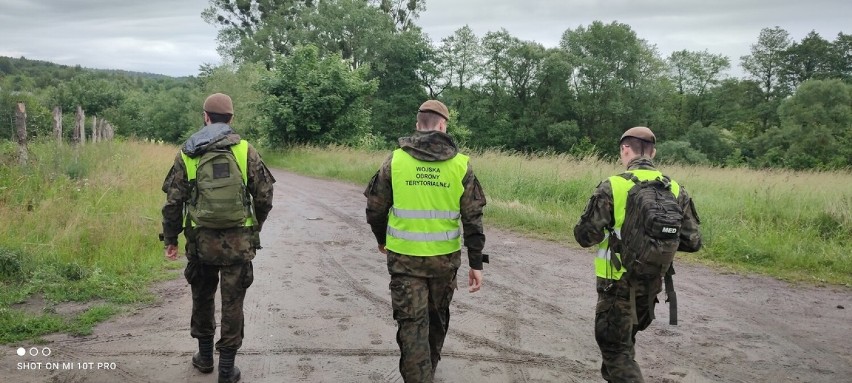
{"points": [[615, 329]]}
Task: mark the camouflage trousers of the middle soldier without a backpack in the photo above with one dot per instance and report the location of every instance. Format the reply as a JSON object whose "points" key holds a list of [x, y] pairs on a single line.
{"points": [[421, 292]]}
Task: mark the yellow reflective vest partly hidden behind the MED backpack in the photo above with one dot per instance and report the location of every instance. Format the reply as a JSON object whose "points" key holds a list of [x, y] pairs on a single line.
{"points": [[620, 187]]}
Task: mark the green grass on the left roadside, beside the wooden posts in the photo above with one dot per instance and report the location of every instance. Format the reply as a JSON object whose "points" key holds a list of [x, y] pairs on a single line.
{"points": [[85, 224]]}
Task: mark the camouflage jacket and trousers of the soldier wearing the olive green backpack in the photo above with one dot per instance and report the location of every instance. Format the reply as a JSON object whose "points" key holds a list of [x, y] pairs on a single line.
{"points": [[210, 252]]}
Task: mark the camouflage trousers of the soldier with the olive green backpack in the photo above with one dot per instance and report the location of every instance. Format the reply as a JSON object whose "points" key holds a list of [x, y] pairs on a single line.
{"points": [[204, 279]]}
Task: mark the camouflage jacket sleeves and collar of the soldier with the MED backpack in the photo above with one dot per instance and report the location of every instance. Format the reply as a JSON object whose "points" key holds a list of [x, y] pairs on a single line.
{"points": [[599, 214]]}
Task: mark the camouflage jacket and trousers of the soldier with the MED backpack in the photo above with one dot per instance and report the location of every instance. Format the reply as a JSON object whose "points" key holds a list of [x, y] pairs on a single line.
{"points": [[615, 331]]}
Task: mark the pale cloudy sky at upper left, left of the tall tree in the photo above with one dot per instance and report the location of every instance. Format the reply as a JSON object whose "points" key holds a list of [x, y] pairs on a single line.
{"points": [[157, 36]]}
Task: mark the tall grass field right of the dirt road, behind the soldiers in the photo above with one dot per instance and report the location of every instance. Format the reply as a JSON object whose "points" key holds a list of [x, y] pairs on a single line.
{"points": [[791, 225]]}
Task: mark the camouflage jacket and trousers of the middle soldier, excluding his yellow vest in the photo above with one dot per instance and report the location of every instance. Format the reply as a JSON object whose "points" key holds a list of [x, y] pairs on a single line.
{"points": [[422, 287]]}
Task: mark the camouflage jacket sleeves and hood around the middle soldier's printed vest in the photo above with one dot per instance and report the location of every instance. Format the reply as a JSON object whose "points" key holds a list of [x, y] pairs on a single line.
{"points": [[429, 146]]}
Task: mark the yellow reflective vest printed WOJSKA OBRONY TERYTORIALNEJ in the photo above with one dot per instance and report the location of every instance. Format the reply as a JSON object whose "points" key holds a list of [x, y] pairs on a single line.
{"points": [[424, 220]]}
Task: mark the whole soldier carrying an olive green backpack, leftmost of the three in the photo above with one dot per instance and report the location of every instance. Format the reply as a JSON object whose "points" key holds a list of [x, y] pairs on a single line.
{"points": [[214, 248]]}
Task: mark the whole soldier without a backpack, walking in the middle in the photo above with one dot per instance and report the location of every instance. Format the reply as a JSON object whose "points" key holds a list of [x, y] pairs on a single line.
{"points": [[414, 202]]}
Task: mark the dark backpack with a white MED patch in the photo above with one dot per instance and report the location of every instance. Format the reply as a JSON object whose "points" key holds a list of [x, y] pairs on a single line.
{"points": [[651, 229]]}
